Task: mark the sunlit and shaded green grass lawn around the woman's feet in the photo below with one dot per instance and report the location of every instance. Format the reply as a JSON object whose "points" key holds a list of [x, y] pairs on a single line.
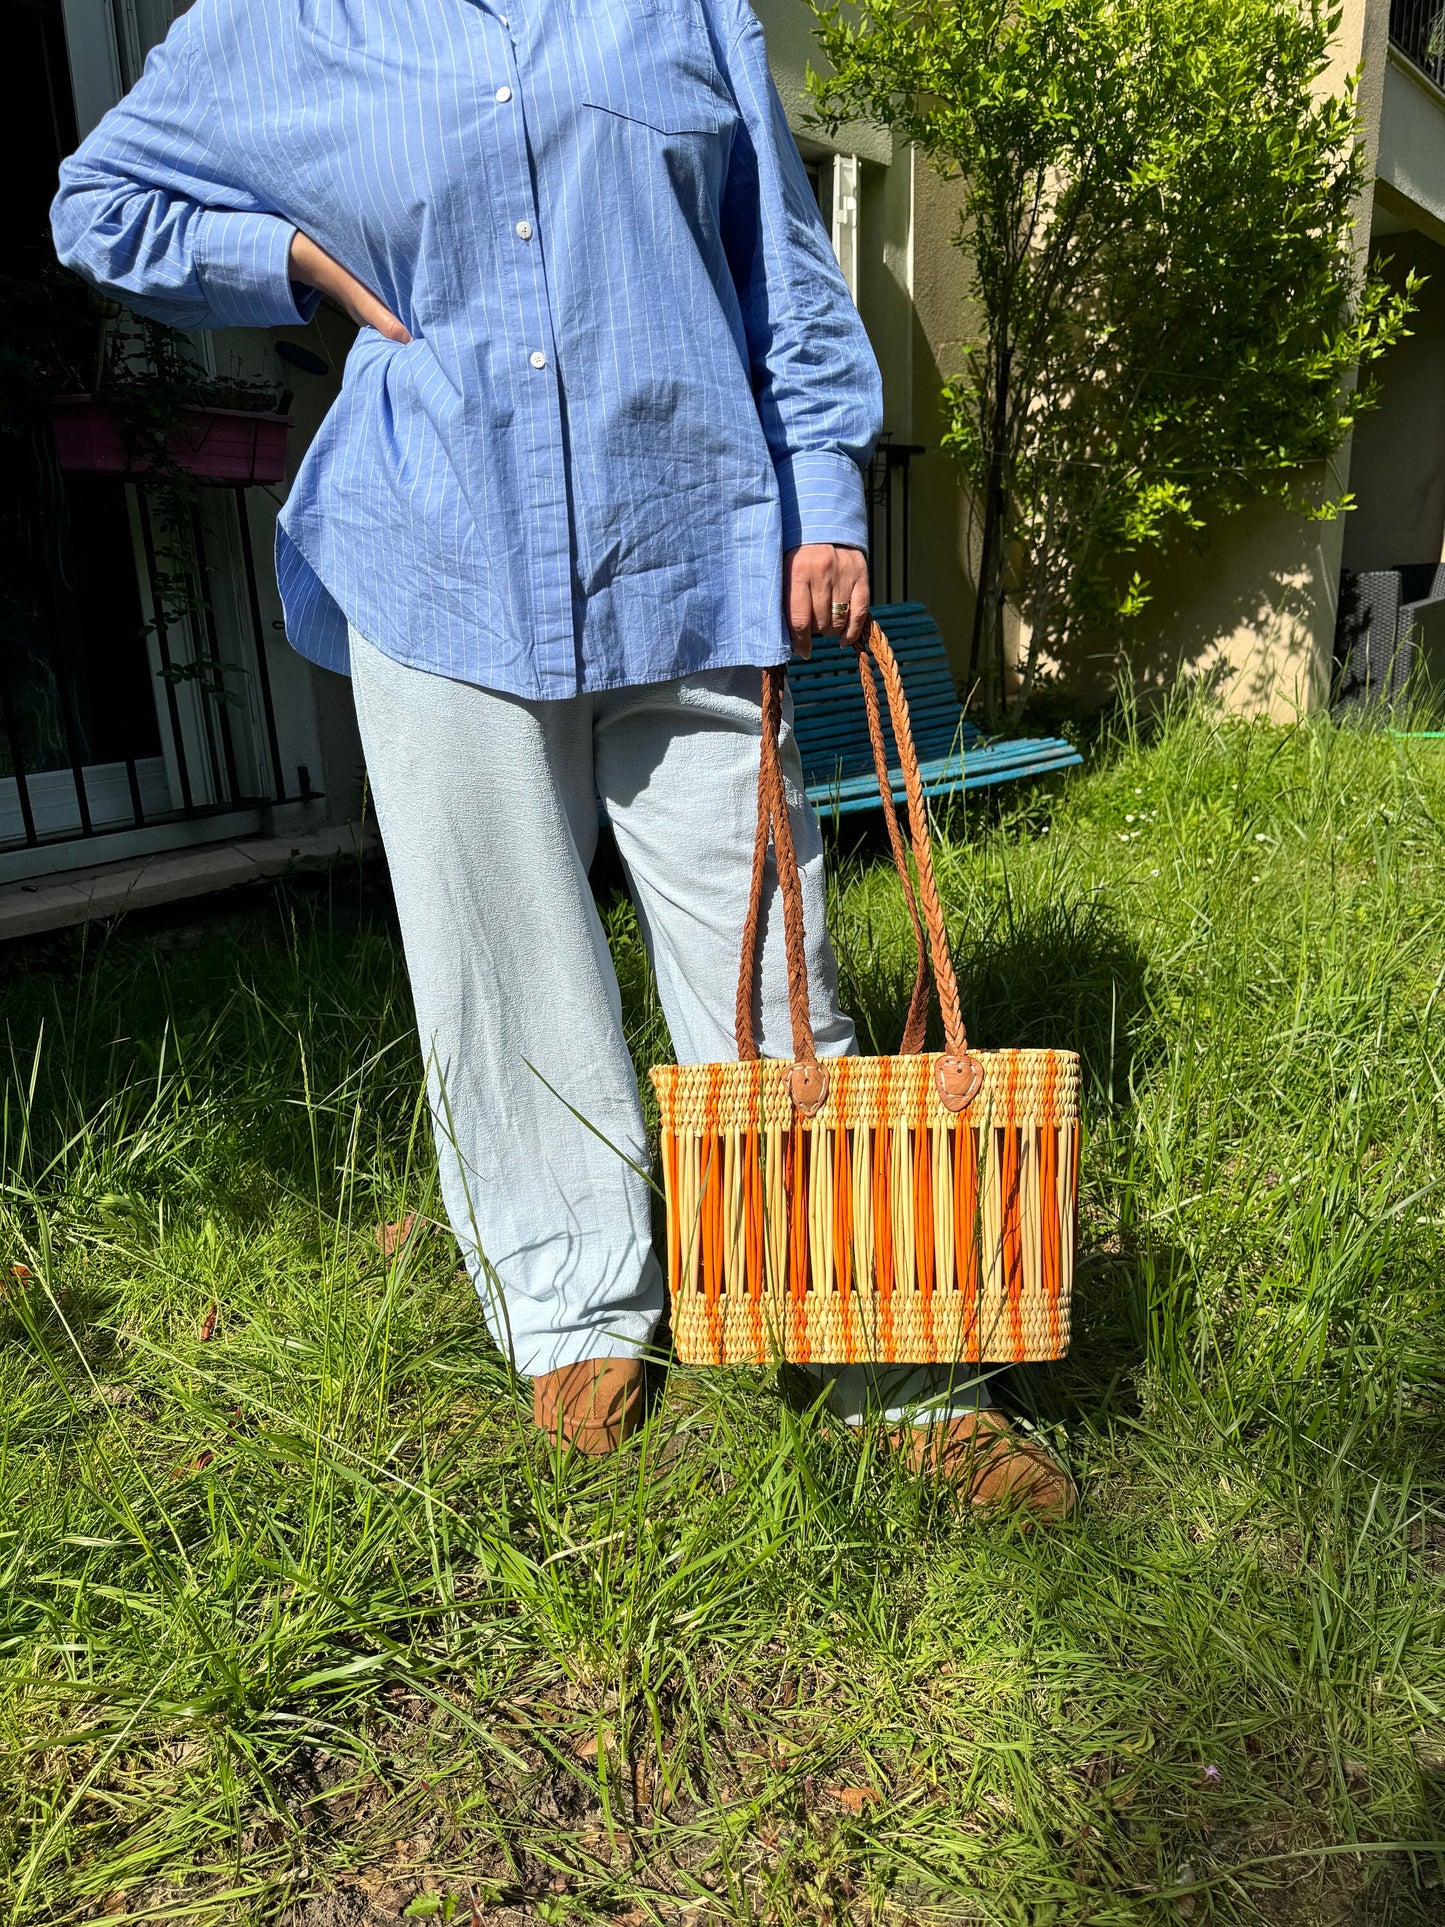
{"points": [[300, 1620]]}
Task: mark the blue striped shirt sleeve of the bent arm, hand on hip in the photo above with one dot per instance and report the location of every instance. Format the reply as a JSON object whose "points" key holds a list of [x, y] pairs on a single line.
{"points": [[149, 213]]}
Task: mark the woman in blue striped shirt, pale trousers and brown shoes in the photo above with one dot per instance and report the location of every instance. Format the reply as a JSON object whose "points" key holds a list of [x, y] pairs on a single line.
{"points": [[596, 462]]}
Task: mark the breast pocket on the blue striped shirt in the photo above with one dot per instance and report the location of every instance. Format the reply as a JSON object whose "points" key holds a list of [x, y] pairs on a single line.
{"points": [[652, 63]]}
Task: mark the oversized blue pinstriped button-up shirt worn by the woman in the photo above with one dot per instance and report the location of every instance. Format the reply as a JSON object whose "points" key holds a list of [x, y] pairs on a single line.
{"points": [[637, 373]]}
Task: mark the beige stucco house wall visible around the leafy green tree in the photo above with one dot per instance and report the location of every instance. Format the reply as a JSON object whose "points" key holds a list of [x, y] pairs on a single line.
{"points": [[1248, 606]]}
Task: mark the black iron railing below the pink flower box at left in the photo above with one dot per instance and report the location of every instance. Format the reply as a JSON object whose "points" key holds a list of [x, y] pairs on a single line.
{"points": [[59, 779]]}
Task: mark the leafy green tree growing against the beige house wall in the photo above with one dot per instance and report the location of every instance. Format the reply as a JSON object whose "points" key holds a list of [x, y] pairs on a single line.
{"points": [[1159, 213]]}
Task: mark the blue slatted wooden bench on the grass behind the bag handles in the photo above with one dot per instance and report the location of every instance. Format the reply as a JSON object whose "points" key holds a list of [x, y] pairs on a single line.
{"points": [[833, 733]]}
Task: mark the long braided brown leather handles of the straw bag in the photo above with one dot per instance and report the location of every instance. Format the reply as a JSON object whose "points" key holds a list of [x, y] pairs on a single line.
{"points": [[959, 1074]]}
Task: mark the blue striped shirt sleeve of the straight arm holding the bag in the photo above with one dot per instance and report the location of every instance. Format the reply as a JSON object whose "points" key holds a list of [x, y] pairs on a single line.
{"points": [[816, 377]]}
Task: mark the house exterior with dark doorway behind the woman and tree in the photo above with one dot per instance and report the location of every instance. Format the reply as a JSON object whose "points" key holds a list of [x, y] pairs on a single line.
{"points": [[144, 760]]}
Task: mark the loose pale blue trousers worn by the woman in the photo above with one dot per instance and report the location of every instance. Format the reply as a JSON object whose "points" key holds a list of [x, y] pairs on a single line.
{"points": [[488, 810]]}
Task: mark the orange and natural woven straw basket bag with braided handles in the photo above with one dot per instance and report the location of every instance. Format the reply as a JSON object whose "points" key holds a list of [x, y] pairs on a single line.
{"points": [[903, 1209]]}
